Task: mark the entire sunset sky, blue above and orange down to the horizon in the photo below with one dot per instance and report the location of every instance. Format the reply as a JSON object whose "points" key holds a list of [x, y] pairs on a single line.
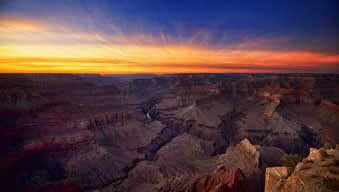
{"points": [[168, 36]]}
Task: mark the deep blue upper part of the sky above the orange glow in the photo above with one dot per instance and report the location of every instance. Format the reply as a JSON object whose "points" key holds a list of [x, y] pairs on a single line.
{"points": [[303, 21]]}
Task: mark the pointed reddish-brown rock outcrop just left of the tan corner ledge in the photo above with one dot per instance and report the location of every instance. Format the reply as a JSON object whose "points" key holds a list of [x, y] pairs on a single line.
{"points": [[237, 170]]}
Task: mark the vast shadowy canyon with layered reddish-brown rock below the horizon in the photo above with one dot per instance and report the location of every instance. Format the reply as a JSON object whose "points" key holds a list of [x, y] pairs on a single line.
{"points": [[168, 133]]}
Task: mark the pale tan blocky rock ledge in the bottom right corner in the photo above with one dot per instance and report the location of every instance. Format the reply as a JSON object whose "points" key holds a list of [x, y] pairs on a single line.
{"points": [[319, 172]]}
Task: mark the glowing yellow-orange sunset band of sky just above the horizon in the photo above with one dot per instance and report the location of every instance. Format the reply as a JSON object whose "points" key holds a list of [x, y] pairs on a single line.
{"points": [[35, 47]]}
